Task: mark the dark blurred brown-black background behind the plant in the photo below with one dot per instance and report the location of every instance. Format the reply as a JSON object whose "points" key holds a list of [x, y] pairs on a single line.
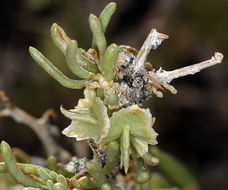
{"points": [[192, 125]]}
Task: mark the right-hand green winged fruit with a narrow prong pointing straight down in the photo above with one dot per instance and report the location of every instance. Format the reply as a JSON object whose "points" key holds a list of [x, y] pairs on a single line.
{"points": [[133, 127]]}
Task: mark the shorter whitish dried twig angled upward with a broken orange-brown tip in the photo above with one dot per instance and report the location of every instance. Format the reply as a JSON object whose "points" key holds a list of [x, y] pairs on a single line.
{"points": [[153, 40]]}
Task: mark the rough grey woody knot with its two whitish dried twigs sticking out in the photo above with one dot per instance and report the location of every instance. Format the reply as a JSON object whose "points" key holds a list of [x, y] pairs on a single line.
{"points": [[137, 83]]}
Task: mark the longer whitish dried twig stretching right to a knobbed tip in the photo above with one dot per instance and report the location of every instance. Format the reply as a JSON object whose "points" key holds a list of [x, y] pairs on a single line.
{"points": [[167, 76]]}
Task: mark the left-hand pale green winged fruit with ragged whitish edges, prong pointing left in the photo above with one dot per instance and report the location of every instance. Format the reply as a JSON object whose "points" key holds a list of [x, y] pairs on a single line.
{"points": [[88, 123]]}
